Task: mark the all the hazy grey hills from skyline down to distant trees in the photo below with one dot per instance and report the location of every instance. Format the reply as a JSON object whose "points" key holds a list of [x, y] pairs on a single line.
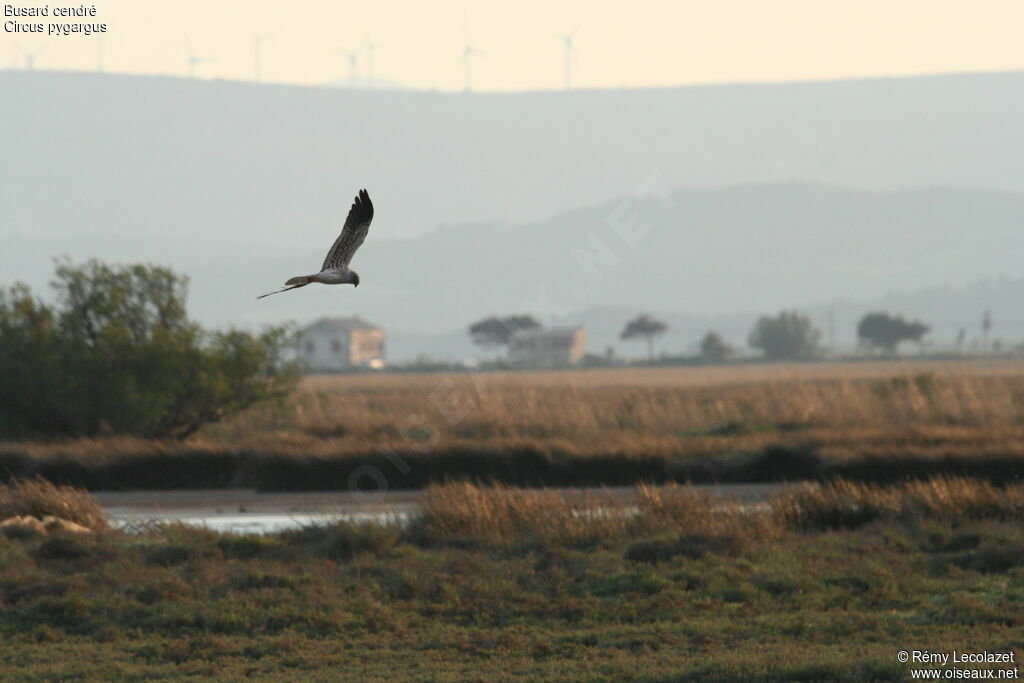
{"points": [[559, 204]]}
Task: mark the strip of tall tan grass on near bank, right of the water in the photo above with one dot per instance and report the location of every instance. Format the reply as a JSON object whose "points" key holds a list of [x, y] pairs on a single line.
{"points": [[505, 518]]}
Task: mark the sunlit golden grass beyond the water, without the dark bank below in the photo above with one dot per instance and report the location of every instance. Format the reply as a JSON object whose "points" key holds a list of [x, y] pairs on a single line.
{"points": [[482, 408]]}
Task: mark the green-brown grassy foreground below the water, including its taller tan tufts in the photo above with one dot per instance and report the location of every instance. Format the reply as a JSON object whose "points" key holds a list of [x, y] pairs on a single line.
{"points": [[507, 583]]}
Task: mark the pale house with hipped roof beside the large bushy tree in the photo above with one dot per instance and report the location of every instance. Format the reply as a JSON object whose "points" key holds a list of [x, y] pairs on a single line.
{"points": [[342, 344]]}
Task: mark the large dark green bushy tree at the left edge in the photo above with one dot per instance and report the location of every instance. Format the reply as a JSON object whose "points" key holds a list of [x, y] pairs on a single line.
{"points": [[118, 355]]}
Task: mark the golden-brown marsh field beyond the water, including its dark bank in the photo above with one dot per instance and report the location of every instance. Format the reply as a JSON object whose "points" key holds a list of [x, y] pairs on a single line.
{"points": [[867, 421]]}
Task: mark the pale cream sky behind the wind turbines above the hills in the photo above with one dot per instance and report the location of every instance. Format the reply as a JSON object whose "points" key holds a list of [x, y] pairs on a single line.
{"points": [[641, 44]]}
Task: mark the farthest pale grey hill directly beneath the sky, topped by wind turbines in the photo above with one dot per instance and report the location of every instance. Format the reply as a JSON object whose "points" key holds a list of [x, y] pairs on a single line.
{"points": [[160, 156]]}
